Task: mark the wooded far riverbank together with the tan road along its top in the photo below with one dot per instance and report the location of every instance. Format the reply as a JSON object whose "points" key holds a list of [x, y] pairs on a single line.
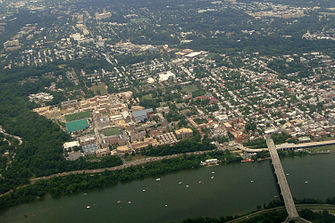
{"points": [[55, 184]]}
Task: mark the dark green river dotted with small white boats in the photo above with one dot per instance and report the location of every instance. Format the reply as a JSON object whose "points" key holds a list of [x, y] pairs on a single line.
{"points": [[235, 189]]}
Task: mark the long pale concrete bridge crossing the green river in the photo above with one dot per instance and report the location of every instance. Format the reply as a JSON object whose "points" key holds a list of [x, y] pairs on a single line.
{"points": [[283, 184]]}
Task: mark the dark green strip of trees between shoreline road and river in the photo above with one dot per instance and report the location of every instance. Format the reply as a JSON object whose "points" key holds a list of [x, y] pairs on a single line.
{"points": [[75, 183]]}
